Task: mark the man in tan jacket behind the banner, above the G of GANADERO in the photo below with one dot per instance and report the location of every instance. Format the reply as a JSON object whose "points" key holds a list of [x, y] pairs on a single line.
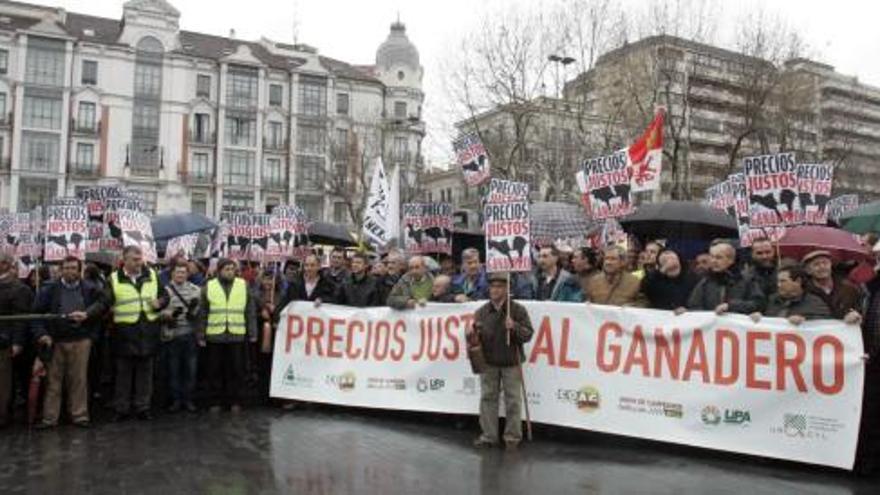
{"points": [[614, 286]]}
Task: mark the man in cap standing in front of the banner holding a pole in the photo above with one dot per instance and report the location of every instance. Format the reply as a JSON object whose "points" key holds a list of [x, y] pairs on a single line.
{"points": [[501, 327]]}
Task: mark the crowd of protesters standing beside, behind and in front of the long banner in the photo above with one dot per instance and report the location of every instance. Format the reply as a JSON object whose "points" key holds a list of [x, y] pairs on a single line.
{"points": [[151, 332]]}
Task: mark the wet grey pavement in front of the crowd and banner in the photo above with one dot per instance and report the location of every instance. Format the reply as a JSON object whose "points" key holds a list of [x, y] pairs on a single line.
{"points": [[329, 450]]}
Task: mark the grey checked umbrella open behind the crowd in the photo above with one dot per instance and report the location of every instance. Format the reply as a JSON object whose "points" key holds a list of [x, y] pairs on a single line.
{"points": [[553, 221]]}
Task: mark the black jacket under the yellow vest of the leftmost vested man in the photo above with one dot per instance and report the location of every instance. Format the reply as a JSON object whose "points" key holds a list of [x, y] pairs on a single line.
{"points": [[139, 339]]}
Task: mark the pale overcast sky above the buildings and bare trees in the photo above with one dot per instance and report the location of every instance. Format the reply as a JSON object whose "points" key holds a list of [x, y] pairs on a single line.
{"points": [[843, 33]]}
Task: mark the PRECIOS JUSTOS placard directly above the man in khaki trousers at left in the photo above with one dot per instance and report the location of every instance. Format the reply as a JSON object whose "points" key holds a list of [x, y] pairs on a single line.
{"points": [[67, 229]]}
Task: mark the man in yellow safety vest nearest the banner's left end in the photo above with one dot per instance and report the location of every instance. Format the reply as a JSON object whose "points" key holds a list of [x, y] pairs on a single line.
{"points": [[230, 317]]}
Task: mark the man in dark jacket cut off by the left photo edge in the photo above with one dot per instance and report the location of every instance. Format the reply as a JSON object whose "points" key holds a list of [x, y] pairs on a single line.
{"points": [[15, 298]]}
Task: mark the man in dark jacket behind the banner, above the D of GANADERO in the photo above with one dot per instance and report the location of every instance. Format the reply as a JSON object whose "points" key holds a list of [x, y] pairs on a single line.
{"points": [[724, 289]]}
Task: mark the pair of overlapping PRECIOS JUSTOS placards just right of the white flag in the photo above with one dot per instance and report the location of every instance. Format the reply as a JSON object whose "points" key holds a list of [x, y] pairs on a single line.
{"points": [[428, 228]]}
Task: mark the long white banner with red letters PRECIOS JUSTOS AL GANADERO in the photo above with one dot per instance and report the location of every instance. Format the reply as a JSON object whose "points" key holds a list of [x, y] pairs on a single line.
{"points": [[699, 379]]}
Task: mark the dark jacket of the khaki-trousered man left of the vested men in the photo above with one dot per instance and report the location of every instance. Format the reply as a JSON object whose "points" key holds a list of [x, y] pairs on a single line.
{"points": [[48, 301]]}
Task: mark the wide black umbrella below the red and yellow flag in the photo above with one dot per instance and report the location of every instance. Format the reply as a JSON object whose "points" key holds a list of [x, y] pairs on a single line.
{"points": [[679, 220]]}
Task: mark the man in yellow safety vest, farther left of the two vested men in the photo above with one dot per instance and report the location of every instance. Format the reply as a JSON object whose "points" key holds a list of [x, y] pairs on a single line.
{"points": [[135, 297]]}
